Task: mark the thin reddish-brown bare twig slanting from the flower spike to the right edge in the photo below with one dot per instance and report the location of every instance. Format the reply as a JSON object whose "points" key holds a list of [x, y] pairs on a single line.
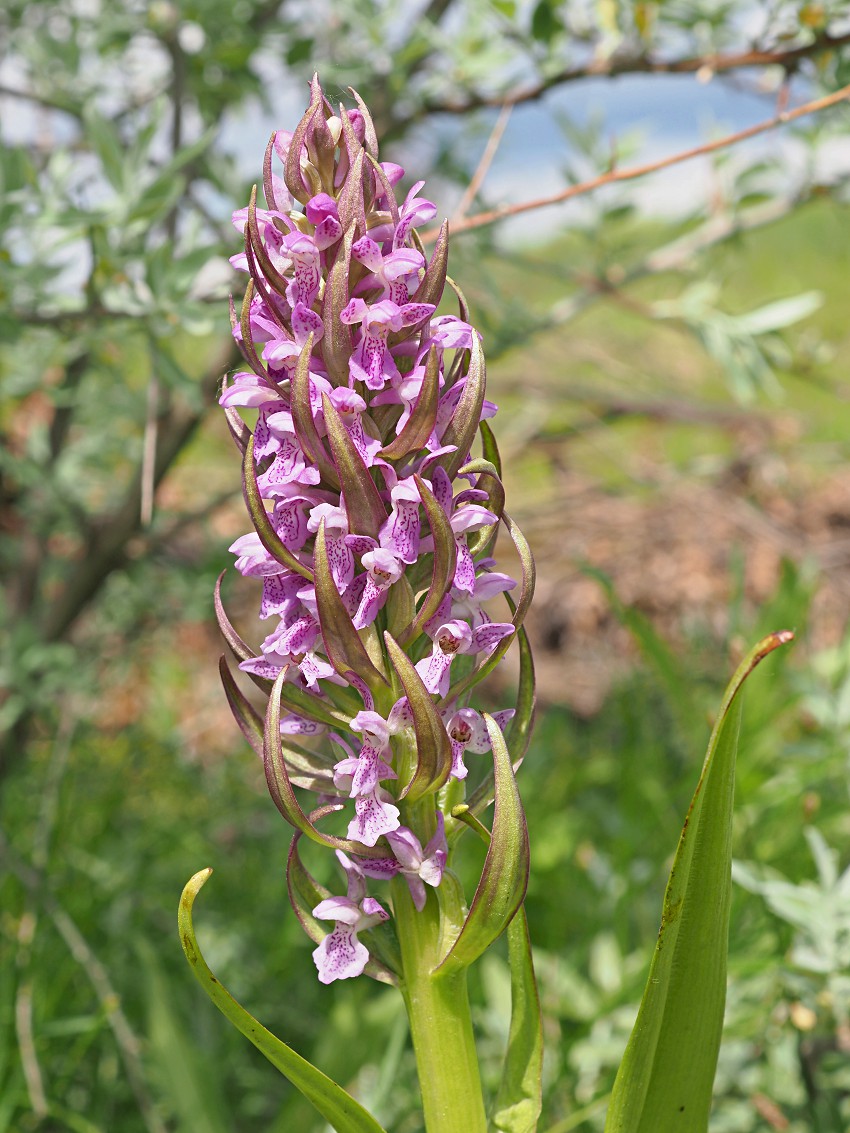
{"points": [[615, 176]]}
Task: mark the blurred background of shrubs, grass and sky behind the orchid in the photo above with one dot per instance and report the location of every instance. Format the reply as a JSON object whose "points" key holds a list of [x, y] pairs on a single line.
{"points": [[671, 362]]}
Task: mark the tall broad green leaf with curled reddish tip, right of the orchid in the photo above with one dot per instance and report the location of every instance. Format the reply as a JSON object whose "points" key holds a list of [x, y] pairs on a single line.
{"points": [[666, 1079]]}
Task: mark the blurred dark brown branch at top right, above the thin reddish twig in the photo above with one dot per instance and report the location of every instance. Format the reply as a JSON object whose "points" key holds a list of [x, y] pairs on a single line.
{"points": [[641, 64]]}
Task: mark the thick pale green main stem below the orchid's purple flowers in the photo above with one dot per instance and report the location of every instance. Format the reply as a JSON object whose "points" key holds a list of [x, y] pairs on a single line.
{"points": [[441, 1026]]}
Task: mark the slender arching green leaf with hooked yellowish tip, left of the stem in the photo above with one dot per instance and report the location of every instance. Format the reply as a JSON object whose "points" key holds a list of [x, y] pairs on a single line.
{"points": [[338, 1108]]}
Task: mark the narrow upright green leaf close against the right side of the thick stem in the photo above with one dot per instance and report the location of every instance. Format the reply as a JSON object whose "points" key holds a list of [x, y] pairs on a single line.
{"points": [[520, 1098]]}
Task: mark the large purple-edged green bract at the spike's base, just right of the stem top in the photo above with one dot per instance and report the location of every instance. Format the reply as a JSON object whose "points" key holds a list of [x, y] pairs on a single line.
{"points": [[505, 878]]}
